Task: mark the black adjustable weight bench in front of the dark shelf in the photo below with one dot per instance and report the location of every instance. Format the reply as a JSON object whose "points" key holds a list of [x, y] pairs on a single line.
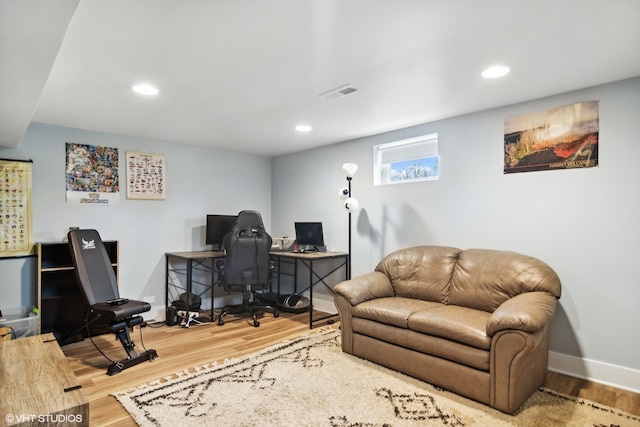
{"points": [[97, 282]]}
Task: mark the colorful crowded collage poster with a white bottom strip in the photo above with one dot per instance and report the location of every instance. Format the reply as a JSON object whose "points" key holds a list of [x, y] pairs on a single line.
{"points": [[92, 175]]}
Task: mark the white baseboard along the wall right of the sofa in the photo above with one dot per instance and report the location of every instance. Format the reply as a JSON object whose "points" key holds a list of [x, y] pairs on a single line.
{"points": [[592, 370]]}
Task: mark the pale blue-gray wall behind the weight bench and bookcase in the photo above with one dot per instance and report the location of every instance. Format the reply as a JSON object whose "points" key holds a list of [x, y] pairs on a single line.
{"points": [[199, 181]]}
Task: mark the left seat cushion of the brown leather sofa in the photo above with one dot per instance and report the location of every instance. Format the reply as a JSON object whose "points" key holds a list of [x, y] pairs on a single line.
{"points": [[393, 311]]}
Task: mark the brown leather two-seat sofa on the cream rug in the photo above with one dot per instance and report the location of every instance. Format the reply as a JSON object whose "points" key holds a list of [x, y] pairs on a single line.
{"points": [[475, 322]]}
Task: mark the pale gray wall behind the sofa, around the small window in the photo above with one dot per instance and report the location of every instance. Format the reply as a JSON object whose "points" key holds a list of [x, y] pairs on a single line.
{"points": [[583, 222]]}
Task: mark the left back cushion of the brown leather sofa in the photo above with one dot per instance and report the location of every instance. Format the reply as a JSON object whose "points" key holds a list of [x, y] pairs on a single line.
{"points": [[422, 272]]}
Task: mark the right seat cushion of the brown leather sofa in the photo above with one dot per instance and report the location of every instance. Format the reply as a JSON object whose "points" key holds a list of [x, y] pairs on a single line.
{"points": [[455, 323]]}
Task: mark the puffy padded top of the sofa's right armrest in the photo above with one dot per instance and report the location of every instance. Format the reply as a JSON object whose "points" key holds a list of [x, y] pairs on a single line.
{"points": [[528, 312]]}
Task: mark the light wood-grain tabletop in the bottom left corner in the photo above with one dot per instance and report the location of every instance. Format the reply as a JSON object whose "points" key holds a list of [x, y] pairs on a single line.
{"points": [[37, 385]]}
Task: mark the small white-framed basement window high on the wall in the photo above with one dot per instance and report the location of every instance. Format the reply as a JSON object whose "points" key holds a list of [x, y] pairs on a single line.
{"points": [[408, 160]]}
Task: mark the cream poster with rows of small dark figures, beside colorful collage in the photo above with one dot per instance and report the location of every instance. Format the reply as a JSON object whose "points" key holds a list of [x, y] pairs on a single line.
{"points": [[145, 176]]}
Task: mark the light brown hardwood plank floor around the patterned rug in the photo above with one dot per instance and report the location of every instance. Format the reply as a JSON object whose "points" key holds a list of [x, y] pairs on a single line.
{"points": [[179, 349]]}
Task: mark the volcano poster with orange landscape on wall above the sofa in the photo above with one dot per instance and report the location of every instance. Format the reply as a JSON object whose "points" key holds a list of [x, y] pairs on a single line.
{"points": [[560, 138]]}
